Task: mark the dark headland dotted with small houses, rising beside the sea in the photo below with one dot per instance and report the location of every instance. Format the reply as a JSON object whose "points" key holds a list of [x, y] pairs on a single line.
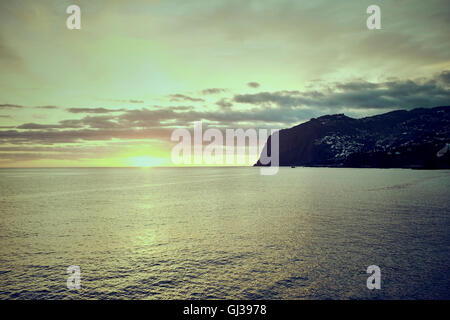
{"points": [[418, 138]]}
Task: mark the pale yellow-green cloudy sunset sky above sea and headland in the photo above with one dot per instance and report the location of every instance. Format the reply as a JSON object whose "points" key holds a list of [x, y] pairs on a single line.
{"points": [[111, 93]]}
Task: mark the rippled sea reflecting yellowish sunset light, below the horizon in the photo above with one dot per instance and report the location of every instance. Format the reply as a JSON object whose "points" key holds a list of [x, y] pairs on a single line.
{"points": [[224, 233]]}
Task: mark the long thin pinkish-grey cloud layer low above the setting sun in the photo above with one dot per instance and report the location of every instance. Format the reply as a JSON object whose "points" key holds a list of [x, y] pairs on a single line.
{"points": [[140, 124]]}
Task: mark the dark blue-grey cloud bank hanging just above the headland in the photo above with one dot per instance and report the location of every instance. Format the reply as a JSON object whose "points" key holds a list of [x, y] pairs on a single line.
{"points": [[360, 94]]}
